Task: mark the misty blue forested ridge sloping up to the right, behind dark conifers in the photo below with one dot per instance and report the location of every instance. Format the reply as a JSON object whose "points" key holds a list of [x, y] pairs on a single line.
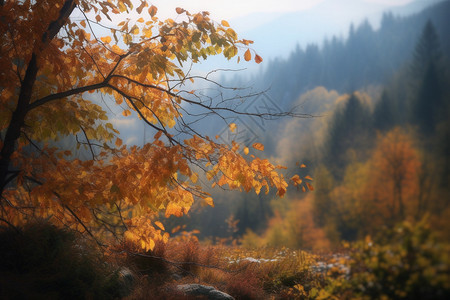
{"points": [[365, 57]]}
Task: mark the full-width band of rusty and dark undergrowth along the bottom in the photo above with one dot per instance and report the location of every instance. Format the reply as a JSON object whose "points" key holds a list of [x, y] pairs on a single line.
{"points": [[41, 261]]}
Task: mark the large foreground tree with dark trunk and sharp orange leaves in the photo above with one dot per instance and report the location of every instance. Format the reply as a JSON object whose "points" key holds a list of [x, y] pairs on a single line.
{"points": [[57, 58]]}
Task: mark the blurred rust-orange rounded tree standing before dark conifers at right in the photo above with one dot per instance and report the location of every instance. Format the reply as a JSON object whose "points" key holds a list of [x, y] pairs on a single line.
{"points": [[395, 173]]}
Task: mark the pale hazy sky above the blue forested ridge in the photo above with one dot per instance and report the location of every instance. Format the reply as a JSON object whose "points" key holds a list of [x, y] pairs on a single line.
{"points": [[276, 26]]}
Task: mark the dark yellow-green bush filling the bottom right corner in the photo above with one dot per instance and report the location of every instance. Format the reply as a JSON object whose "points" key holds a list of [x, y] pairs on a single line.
{"points": [[407, 262]]}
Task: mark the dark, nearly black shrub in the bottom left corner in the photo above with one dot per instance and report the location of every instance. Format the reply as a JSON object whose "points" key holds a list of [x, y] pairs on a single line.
{"points": [[42, 261]]}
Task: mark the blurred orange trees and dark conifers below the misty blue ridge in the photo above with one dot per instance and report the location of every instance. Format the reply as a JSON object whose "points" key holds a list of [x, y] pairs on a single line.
{"points": [[376, 161]]}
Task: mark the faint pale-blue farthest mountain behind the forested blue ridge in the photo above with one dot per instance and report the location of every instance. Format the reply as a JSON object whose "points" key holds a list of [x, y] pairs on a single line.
{"points": [[280, 35]]}
